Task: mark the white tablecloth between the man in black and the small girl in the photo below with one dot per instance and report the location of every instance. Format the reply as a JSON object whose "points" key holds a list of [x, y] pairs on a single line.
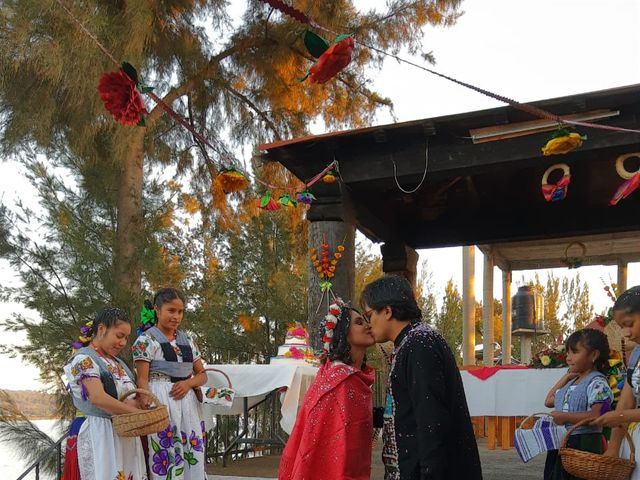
{"points": [[510, 393]]}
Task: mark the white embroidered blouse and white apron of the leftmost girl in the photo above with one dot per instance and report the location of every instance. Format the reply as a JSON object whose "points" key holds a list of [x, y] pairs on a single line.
{"points": [[102, 454]]}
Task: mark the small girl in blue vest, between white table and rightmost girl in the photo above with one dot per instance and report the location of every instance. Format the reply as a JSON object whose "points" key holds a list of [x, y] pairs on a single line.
{"points": [[582, 393]]}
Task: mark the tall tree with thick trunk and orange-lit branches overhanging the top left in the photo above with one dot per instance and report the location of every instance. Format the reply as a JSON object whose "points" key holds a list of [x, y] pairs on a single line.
{"points": [[234, 81]]}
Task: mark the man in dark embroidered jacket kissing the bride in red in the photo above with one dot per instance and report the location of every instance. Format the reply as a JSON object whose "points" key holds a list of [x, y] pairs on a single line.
{"points": [[427, 429]]}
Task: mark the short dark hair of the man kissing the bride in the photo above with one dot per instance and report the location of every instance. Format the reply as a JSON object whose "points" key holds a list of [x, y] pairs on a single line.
{"points": [[394, 291]]}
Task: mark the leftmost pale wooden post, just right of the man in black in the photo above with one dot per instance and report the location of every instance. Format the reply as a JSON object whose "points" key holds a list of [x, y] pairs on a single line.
{"points": [[468, 306]]}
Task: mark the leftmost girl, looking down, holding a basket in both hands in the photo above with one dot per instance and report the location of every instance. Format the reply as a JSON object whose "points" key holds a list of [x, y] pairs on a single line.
{"points": [[97, 378]]}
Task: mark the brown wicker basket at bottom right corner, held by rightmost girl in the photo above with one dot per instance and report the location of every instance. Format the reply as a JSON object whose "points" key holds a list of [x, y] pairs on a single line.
{"points": [[592, 466]]}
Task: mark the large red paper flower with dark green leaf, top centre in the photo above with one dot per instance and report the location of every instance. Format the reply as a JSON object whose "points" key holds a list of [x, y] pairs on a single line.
{"points": [[332, 59]]}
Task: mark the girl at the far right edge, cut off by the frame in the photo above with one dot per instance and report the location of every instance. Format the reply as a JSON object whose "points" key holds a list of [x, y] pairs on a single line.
{"points": [[627, 315]]}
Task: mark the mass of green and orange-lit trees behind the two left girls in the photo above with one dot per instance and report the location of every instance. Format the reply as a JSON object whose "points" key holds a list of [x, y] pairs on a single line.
{"points": [[115, 223]]}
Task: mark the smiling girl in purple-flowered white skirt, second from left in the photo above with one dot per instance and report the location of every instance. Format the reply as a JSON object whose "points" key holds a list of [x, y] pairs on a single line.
{"points": [[168, 364]]}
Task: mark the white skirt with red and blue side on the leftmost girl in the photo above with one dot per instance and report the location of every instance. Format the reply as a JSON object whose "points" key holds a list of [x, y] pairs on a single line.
{"points": [[97, 453]]}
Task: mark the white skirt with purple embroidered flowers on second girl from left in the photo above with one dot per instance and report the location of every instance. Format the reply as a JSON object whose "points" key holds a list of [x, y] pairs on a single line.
{"points": [[178, 453]]}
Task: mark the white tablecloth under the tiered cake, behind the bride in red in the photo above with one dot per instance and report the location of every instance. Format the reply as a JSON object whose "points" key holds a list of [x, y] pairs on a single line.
{"points": [[255, 382]]}
